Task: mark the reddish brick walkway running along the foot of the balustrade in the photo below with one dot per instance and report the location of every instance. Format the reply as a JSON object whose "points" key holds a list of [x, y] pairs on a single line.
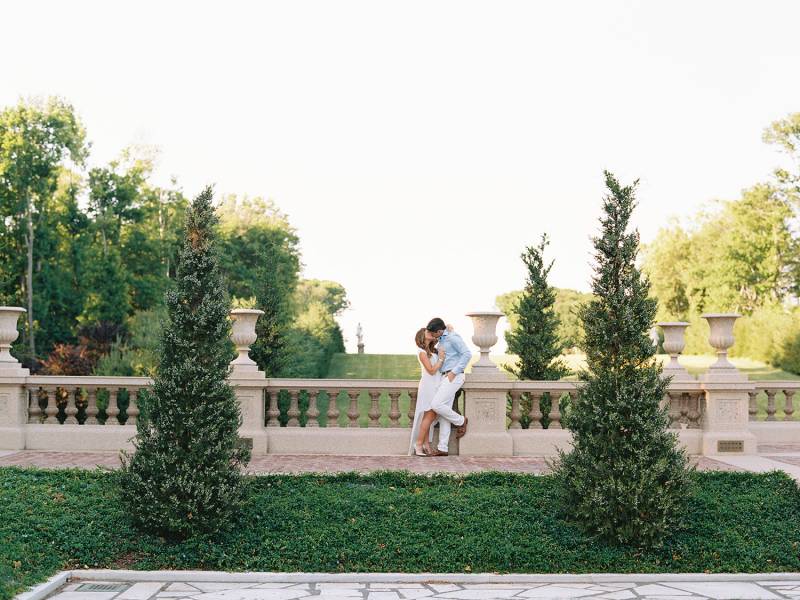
{"points": [[786, 457]]}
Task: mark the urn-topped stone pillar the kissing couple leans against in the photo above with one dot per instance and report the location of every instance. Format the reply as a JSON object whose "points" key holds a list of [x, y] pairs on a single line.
{"points": [[485, 402]]}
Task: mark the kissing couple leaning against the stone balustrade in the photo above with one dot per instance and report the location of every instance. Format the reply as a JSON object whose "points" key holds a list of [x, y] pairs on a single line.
{"points": [[443, 356]]}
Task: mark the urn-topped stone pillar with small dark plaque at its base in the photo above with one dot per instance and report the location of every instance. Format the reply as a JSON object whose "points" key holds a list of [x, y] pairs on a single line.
{"points": [[727, 394]]}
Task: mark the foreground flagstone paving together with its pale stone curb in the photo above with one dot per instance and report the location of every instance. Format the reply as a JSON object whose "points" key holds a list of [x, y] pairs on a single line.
{"points": [[441, 587]]}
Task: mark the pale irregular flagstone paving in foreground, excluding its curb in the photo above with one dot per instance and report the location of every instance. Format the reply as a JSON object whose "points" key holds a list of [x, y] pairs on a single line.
{"points": [[201, 590]]}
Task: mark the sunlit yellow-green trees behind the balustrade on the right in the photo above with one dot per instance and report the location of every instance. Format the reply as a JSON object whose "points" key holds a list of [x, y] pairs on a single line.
{"points": [[738, 255]]}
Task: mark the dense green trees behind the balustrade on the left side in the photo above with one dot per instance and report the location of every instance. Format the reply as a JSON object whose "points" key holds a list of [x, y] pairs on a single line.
{"points": [[90, 253]]}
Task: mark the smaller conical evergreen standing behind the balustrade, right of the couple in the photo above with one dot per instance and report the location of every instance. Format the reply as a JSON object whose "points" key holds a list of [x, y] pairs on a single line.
{"points": [[535, 338]]}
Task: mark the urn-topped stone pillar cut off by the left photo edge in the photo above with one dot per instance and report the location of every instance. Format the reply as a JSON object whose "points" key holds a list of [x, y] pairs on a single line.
{"points": [[13, 398]]}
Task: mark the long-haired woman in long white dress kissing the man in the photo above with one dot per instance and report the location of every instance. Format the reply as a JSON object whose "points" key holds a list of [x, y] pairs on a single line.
{"points": [[429, 359]]}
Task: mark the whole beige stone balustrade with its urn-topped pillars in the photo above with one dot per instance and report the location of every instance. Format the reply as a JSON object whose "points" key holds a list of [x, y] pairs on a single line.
{"points": [[718, 412]]}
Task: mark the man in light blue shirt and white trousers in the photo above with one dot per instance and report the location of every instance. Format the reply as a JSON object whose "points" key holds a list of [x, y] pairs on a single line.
{"points": [[457, 357]]}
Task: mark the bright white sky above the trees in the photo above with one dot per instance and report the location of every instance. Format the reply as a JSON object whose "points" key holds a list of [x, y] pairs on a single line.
{"points": [[419, 146]]}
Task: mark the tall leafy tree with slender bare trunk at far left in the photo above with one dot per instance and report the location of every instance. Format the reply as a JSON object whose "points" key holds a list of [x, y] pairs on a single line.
{"points": [[37, 138]]}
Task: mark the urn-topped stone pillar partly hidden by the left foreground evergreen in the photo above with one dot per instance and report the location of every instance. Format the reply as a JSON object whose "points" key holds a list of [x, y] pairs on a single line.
{"points": [[247, 380]]}
